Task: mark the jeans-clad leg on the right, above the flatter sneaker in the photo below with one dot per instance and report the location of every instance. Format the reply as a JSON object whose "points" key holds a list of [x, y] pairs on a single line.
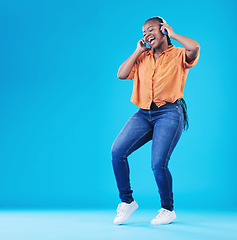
{"points": [[167, 132]]}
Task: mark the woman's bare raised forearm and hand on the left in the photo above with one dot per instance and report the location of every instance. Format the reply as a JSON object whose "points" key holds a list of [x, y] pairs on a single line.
{"points": [[126, 67]]}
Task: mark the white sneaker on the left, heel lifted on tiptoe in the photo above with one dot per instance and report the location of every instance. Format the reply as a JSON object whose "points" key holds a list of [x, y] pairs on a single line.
{"points": [[124, 211]]}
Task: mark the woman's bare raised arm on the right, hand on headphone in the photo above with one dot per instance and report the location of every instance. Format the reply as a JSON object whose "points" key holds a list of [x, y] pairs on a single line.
{"points": [[192, 47]]}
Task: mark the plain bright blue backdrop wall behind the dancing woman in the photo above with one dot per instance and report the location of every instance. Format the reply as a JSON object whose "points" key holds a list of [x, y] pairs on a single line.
{"points": [[62, 104]]}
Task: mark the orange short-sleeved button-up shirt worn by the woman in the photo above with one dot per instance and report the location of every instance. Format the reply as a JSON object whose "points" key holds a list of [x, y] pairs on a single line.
{"points": [[161, 81]]}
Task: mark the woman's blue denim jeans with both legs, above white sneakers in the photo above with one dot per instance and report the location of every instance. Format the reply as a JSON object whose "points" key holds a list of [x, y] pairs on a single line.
{"points": [[164, 125]]}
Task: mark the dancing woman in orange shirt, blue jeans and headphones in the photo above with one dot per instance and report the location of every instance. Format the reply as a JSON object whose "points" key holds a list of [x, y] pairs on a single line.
{"points": [[159, 72]]}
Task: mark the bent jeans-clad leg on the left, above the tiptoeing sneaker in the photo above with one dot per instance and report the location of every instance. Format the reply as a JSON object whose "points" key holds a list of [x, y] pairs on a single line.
{"points": [[135, 133]]}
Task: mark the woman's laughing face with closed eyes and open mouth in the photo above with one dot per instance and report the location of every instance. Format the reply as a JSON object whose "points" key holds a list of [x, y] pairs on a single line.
{"points": [[152, 34]]}
